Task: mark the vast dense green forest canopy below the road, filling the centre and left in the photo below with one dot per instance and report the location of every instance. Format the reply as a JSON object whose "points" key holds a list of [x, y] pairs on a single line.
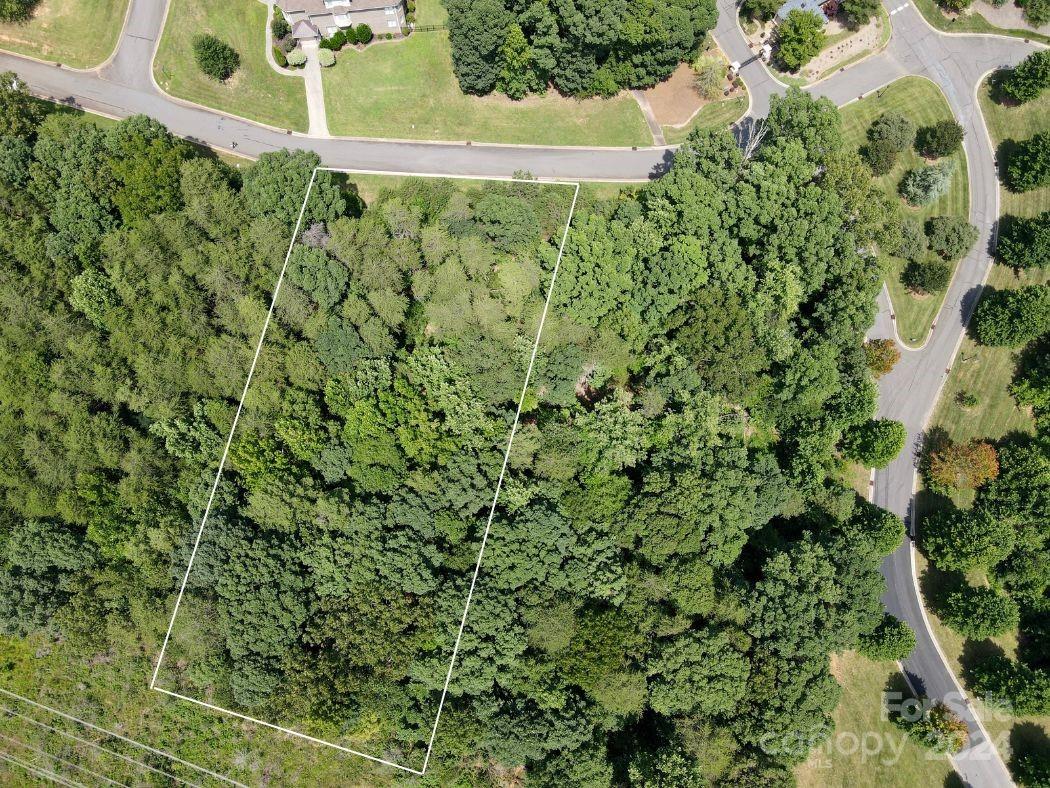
{"points": [[674, 556]]}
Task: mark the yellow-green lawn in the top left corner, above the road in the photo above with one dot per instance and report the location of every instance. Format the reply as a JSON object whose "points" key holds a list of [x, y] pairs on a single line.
{"points": [[81, 34]]}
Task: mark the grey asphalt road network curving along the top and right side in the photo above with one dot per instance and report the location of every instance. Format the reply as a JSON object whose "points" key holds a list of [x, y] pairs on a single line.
{"points": [[124, 87]]}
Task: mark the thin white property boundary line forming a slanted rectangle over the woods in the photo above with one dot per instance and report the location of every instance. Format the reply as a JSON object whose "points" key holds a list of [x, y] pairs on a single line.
{"points": [[492, 512]]}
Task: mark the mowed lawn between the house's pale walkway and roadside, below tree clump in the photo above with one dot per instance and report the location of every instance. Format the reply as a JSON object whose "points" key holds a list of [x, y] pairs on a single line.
{"points": [[407, 90]]}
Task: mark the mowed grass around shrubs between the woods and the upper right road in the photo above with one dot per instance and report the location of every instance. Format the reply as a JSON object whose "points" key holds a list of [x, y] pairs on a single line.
{"points": [[922, 102]]}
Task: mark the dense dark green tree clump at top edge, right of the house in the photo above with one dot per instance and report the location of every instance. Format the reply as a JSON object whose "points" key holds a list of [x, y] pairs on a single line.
{"points": [[583, 48]]}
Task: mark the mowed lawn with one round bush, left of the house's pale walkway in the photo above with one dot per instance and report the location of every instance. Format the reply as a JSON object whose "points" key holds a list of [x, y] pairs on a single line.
{"points": [[256, 91]]}
